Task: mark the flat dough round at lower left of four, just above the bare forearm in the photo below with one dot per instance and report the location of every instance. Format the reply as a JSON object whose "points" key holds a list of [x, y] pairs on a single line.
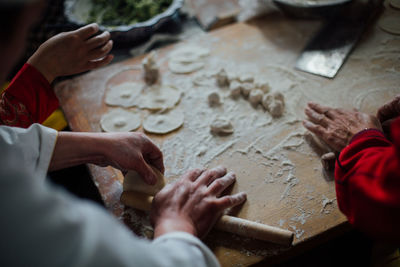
{"points": [[120, 120]]}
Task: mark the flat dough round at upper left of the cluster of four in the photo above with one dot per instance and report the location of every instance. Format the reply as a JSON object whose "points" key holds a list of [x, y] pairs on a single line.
{"points": [[124, 94]]}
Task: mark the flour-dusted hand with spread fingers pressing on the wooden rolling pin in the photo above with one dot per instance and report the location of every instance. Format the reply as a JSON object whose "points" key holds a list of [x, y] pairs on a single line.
{"points": [[193, 203]]}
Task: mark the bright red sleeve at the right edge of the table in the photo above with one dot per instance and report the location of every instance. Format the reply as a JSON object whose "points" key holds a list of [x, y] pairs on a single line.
{"points": [[367, 176]]}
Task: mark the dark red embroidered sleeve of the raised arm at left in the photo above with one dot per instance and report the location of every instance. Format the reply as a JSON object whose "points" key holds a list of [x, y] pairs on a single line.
{"points": [[28, 99]]}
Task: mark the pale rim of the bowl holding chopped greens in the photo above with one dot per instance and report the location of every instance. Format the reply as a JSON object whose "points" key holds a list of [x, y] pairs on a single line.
{"points": [[170, 11]]}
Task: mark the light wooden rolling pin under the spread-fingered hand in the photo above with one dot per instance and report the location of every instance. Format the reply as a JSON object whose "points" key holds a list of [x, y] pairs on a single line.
{"points": [[226, 223]]}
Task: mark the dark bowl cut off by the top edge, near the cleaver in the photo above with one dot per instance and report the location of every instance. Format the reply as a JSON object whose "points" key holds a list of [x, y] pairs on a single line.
{"points": [[309, 9]]}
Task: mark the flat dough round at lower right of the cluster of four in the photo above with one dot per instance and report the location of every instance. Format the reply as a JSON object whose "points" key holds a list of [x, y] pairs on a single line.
{"points": [[163, 123]]}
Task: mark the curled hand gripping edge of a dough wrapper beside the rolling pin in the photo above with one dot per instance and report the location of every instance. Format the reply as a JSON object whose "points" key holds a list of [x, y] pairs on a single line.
{"points": [[133, 151]]}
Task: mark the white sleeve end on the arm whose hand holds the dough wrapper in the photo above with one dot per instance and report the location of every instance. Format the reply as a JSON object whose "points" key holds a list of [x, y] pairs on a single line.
{"points": [[30, 148]]}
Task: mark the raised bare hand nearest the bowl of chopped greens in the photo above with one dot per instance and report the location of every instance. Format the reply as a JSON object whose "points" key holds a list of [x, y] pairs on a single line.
{"points": [[73, 52]]}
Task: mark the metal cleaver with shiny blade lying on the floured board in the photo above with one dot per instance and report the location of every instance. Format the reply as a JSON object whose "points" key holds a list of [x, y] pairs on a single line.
{"points": [[325, 54]]}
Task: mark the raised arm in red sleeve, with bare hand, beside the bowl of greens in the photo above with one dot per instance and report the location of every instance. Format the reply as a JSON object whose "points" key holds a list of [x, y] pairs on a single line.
{"points": [[29, 98]]}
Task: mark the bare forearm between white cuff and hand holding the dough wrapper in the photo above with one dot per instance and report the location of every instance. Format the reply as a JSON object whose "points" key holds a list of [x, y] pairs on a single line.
{"points": [[78, 148]]}
